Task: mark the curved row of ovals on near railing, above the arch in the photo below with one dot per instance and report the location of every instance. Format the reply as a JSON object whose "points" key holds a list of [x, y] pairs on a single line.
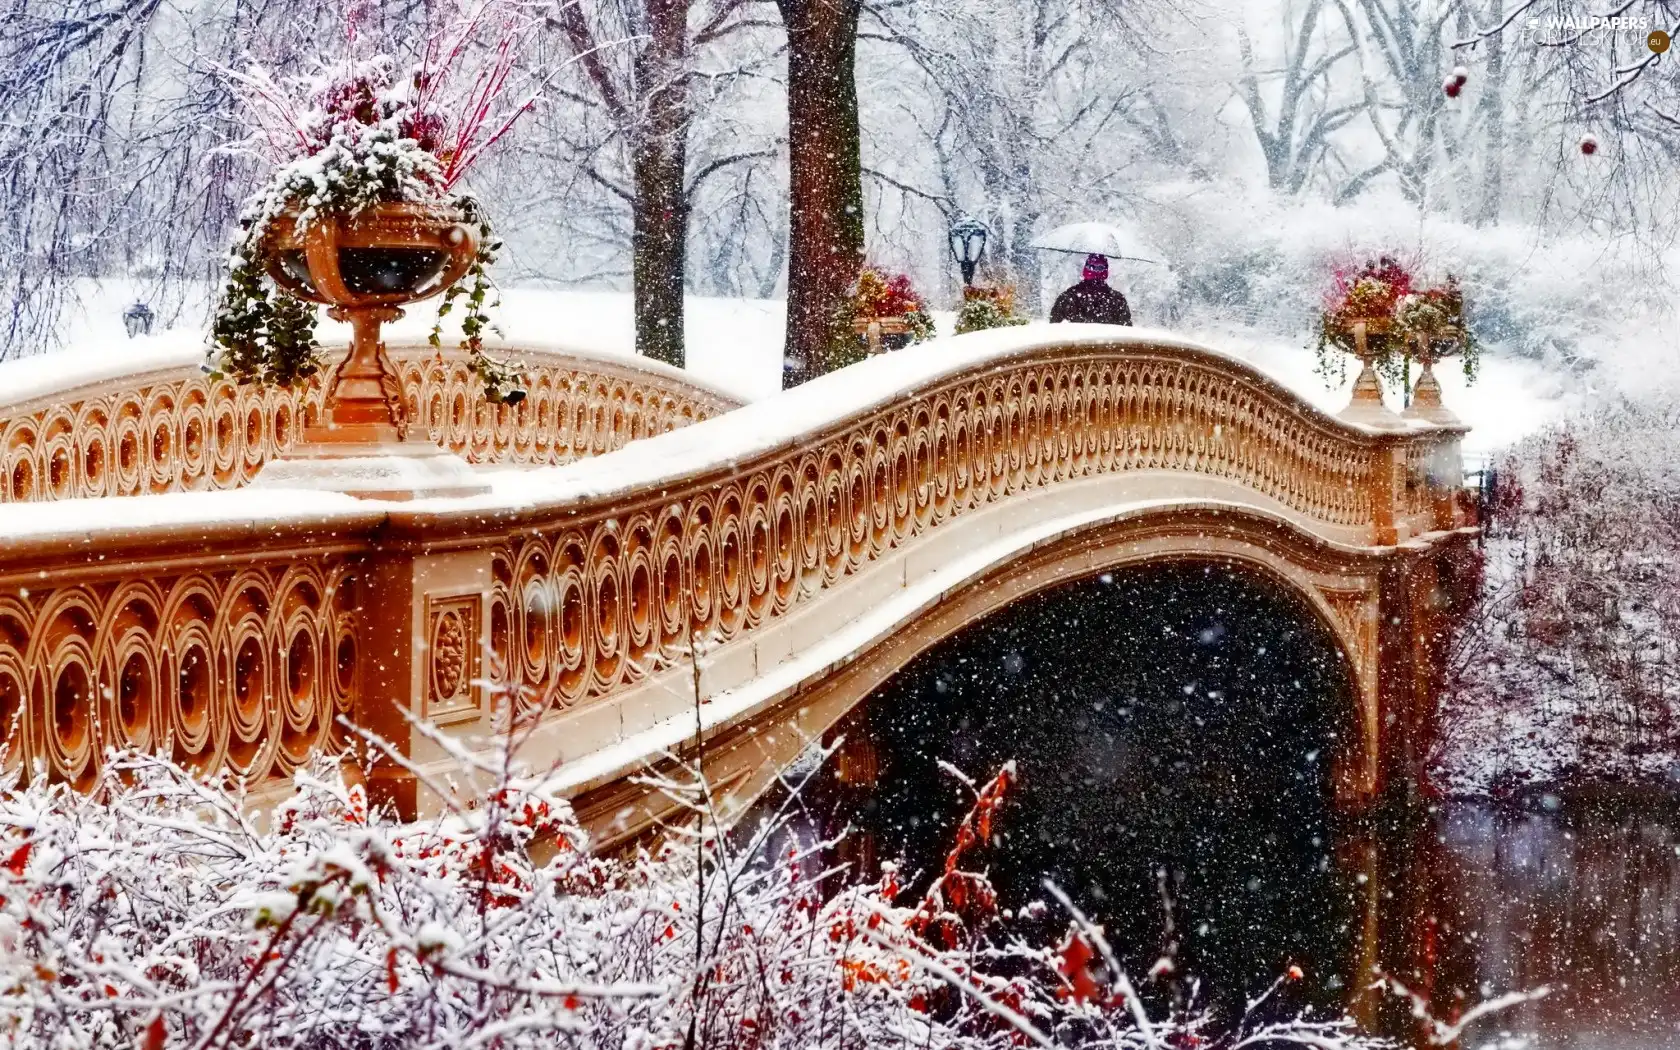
{"points": [[596, 604]]}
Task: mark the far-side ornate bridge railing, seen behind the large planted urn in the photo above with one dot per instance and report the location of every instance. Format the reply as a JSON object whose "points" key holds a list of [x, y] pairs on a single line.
{"points": [[176, 429]]}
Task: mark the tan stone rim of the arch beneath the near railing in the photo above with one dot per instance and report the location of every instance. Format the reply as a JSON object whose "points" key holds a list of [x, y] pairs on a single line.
{"points": [[1340, 589]]}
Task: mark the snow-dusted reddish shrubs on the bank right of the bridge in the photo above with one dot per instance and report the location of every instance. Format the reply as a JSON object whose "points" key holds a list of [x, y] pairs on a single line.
{"points": [[1570, 666]]}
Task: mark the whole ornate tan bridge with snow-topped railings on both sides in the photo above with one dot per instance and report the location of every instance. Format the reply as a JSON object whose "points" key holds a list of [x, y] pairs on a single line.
{"points": [[814, 543]]}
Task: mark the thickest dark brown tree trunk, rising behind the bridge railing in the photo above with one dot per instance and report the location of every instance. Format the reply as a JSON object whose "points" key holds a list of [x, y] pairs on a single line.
{"points": [[826, 179]]}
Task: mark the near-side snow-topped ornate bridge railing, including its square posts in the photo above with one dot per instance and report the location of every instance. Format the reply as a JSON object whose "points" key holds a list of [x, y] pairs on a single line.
{"points": [[233, 626]]}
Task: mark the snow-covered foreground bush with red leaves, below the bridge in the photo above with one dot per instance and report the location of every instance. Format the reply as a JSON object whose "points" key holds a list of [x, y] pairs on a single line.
{"points": [[157, 911]]}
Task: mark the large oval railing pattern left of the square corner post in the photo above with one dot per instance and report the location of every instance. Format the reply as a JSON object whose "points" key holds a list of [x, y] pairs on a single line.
{"points": [[229, 671]]}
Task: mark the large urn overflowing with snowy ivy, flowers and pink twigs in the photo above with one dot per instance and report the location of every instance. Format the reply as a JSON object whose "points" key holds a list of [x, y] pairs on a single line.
{"points": [[364, 209]]}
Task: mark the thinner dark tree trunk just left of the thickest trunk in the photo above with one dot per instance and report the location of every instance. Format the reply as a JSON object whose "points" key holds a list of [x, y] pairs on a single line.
{"points": [[661, 216]]}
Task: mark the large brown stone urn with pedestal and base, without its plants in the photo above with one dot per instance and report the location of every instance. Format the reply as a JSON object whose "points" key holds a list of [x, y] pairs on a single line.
{"points": [[367, 270]]}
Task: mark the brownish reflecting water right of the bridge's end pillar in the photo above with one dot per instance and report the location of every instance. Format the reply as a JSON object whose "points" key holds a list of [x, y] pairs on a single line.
{"points": [[1583, 900]]}
